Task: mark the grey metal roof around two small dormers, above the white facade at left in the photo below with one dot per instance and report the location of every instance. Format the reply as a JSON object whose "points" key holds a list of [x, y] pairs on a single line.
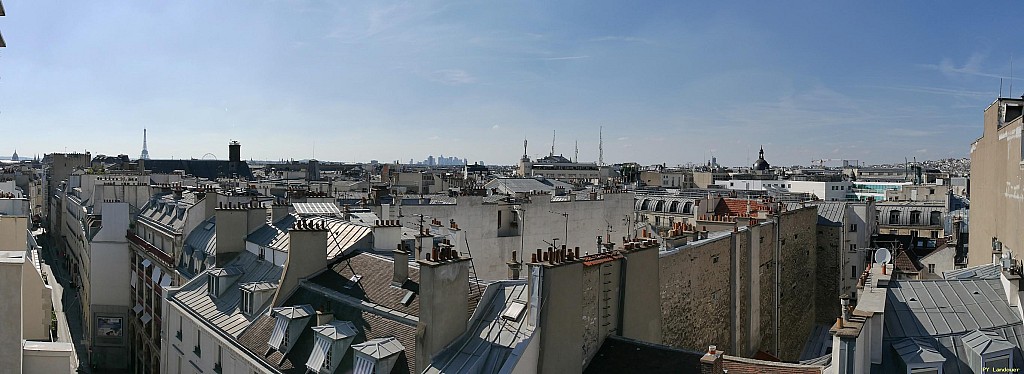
{"points": [[224, 311]]}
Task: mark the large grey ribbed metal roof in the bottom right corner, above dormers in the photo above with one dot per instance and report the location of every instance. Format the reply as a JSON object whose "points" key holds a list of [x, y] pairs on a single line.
{"points": [[944, 312]]}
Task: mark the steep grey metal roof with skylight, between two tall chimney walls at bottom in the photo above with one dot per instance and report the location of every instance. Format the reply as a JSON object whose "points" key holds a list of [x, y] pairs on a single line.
{"points": [[491, 340]]}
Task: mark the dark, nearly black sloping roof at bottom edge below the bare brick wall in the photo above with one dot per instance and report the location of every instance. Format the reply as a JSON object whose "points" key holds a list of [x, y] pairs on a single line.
{"points": [[619, 355]]}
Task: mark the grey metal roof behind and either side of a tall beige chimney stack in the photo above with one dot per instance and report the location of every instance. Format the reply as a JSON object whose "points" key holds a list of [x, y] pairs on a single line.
{"points": [[343, 235]]}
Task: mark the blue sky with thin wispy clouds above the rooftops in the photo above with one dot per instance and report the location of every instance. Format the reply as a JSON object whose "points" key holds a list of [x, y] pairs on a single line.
{"points": [[671, 82]]}
